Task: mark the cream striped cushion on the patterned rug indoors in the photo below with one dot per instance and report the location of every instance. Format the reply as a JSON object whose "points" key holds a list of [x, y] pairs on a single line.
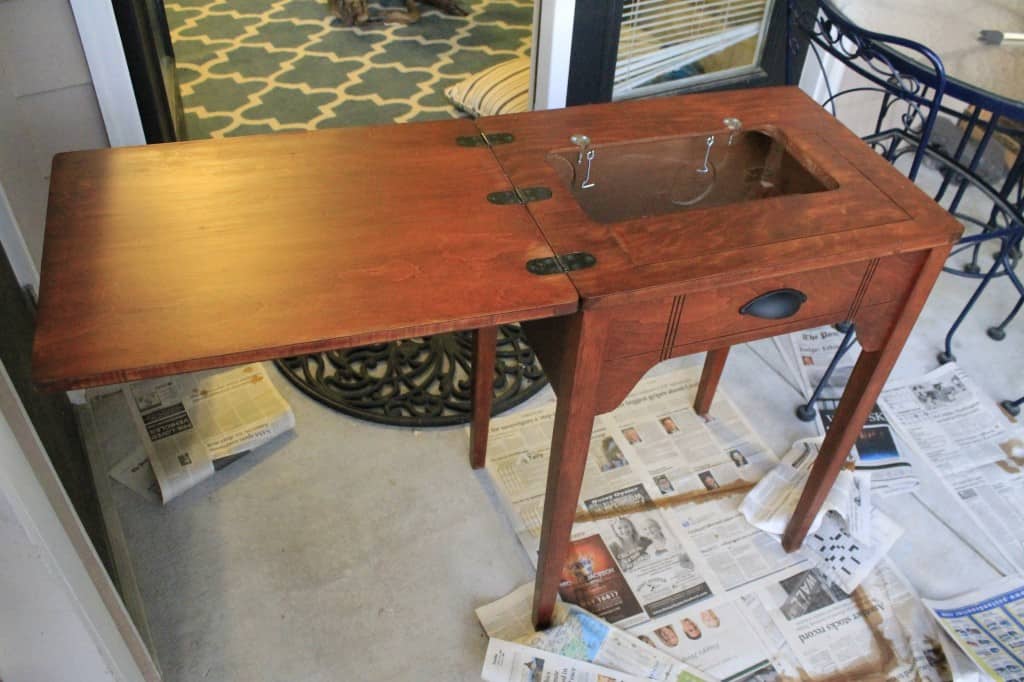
{"points": [[501, 90]]}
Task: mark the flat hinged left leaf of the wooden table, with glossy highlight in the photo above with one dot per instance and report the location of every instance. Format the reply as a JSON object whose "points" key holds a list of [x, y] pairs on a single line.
{"points": [[178, 258]]}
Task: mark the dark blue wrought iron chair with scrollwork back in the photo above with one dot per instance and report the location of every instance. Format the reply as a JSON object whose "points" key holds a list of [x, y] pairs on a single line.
{"points": [[920, 118]]}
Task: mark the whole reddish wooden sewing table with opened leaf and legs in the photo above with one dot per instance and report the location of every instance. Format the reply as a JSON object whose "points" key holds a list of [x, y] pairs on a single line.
{"points": [[180, 258]]}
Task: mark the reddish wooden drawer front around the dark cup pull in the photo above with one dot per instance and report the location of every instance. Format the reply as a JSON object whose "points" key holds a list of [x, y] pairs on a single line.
{"points": [[711, 315]]}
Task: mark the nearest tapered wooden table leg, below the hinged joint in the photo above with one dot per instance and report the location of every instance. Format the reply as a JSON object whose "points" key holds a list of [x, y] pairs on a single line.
{"points": [[585, 336]]}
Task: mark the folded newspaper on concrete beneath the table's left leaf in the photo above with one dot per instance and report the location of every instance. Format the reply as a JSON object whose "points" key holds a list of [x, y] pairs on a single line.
{"points": [[190, 422]]}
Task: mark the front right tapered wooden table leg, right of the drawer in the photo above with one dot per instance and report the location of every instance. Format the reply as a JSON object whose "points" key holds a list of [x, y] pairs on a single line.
{"points": [[882, 340]]}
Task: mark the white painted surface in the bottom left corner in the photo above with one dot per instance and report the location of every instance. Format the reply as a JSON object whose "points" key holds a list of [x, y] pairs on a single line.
{"points": [[54, 621]]}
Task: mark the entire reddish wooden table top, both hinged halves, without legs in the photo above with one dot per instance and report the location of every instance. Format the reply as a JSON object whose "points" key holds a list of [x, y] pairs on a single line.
{"points": [[187, 257]]}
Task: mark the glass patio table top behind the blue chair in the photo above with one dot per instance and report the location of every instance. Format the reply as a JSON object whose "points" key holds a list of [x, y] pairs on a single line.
{"points": [[951, 29]]}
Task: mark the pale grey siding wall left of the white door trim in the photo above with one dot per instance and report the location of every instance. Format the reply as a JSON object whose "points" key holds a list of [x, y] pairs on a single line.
{"points": [[48, 105]]}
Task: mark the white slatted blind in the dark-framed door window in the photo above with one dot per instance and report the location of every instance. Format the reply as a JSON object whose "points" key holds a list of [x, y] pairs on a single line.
{"points": [[660, 37]]}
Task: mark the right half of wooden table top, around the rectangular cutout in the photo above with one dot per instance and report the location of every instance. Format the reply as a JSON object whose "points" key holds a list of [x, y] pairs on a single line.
{"points": [[874, 212]]}
